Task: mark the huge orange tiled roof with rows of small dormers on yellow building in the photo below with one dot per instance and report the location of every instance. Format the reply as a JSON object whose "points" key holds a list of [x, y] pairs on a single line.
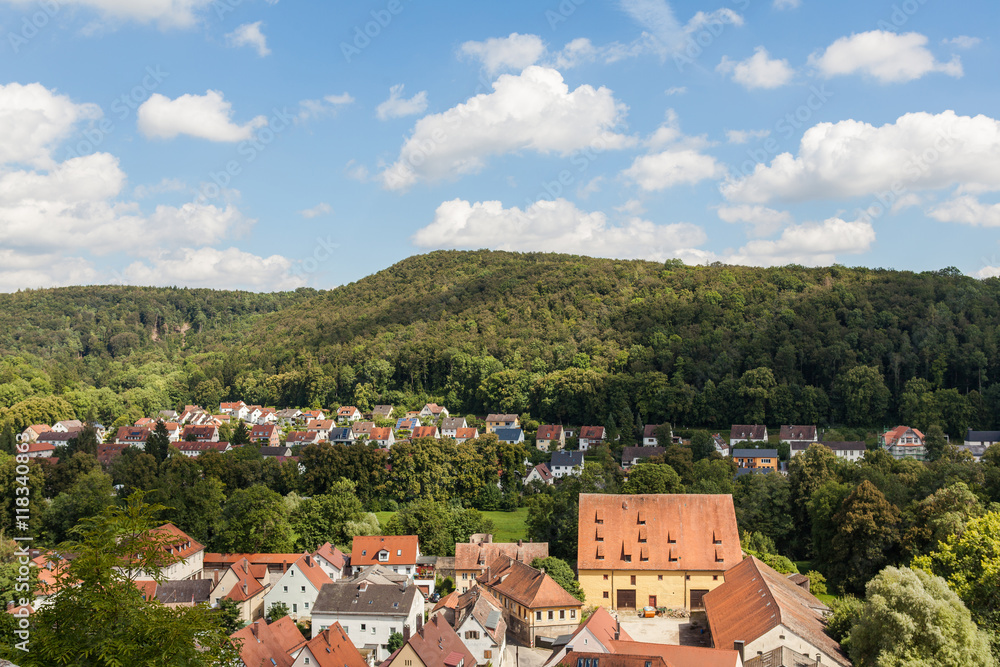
{"points": [[657, 532]]}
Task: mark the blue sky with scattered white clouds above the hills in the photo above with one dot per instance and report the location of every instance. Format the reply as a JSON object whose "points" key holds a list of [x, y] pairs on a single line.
{"points": [[269, 144]]}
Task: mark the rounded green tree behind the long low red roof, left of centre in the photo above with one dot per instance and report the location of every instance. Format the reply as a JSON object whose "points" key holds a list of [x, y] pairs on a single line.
{"points": [[254, 521]]}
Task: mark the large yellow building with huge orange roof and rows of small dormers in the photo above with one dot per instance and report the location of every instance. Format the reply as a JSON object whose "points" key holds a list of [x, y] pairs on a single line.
{"points": [[657, 550]]}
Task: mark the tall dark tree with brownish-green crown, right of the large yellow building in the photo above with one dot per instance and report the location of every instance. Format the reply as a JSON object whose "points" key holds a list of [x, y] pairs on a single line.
{"points": [[867, 535]]}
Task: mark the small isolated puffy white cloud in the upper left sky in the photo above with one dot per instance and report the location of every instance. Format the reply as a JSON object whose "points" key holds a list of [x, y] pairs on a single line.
{"points": [[207, 116]]}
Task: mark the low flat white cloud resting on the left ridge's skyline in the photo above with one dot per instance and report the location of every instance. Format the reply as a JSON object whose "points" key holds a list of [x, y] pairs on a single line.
{"points": [[219, 269]]}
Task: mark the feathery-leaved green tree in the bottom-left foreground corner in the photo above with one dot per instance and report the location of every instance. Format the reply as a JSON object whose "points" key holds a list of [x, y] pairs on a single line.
{"points": [[98, 617]]}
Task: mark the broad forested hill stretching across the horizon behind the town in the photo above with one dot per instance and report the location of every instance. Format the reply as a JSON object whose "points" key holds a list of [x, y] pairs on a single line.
{"points": [[565, 338]]}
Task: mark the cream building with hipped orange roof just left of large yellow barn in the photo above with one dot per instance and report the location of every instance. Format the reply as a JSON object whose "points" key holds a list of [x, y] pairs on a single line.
{"points": [[534, 604]]}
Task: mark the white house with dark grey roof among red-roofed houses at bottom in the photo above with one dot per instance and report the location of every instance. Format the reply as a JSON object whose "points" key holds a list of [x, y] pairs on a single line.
{"points": [[370, 608]]}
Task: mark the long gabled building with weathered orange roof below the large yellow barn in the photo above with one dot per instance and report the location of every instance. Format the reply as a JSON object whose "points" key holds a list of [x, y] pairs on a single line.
{"points": [[763, 610]]}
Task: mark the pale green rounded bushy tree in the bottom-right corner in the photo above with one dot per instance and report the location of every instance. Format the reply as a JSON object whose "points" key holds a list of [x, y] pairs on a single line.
{"points": [[910, 617]]}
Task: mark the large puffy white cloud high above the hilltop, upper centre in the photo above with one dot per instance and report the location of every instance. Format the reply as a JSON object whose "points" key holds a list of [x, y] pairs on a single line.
{"points": [[533, 111]]}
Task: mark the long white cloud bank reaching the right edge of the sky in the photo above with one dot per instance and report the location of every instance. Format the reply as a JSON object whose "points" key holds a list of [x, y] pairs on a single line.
{"points": [[920, 151]]}
